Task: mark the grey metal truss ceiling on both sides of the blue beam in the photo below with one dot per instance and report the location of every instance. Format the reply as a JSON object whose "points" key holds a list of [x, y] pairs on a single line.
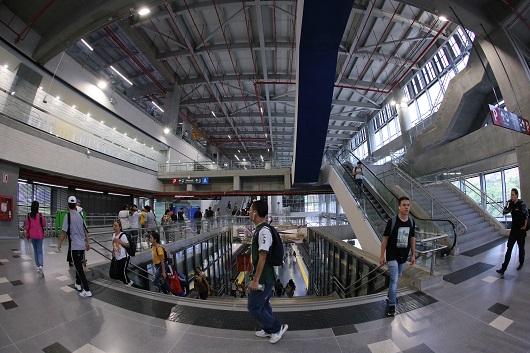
{"points": [[235, 62]]}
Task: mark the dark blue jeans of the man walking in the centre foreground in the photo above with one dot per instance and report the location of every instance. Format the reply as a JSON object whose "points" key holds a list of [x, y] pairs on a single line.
{"points": [[259, 306]]}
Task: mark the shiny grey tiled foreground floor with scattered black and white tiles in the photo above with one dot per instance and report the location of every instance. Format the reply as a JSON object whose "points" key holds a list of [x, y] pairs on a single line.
{"points": [[474, 312]]}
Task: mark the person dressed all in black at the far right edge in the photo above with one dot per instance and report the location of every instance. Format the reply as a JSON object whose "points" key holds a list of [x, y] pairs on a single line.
{"points": [[519, 211]]}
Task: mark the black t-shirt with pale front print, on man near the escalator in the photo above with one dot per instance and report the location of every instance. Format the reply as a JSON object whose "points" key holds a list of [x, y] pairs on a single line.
{"points": [[398, 246]]}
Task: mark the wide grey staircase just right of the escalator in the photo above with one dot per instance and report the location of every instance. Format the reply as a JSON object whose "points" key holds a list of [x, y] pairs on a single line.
{"points": [[479, 230]]}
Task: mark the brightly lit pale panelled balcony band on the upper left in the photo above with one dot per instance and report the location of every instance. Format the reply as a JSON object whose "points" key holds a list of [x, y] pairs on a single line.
{"points": [[22, 101]]}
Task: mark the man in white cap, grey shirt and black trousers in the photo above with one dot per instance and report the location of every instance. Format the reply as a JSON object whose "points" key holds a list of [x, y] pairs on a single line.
{"points": [[74, 226]]}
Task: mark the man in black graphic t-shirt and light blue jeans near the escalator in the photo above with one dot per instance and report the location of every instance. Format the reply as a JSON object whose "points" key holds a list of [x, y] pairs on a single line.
{"points": [[397, 243]]}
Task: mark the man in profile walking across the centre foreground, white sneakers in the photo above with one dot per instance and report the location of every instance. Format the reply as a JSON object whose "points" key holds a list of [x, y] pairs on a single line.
{"points": [[262, 283]]}
